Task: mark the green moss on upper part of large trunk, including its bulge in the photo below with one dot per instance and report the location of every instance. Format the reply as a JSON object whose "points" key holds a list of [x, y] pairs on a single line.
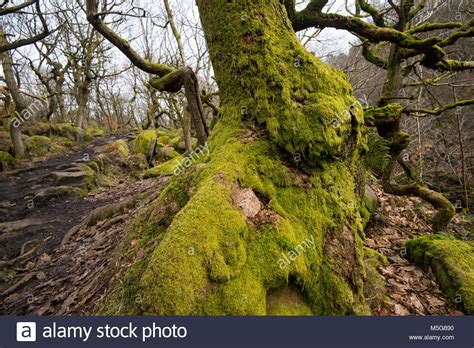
{"points": [[304, 105]]}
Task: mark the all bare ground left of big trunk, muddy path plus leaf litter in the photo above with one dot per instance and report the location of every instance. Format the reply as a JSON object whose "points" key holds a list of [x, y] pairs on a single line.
{"points": [[37, 275]]}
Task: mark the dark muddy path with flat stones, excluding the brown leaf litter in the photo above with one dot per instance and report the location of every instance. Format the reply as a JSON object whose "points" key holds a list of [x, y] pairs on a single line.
{"points": [[38, 222]]}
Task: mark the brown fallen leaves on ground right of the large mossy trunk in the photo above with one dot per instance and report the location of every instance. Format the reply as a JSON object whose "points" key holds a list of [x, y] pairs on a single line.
{"points": [[410, 290]]}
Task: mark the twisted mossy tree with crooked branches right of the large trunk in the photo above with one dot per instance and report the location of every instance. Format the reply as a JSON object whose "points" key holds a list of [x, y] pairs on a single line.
{"points": [[393, 29]]}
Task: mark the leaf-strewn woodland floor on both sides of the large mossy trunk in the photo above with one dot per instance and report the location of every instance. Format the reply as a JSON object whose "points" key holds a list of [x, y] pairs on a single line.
{"points": [[50, 279]]}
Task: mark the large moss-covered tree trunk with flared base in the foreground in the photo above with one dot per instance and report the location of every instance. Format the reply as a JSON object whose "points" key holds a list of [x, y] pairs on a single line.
{"points": [[269, 222]]}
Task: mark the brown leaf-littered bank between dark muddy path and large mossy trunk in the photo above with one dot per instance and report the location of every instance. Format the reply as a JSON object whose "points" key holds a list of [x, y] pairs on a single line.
{"points": [[71, 279]]}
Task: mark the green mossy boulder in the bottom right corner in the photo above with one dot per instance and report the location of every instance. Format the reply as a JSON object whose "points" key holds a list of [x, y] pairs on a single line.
{"points": [[452, 262]]}
